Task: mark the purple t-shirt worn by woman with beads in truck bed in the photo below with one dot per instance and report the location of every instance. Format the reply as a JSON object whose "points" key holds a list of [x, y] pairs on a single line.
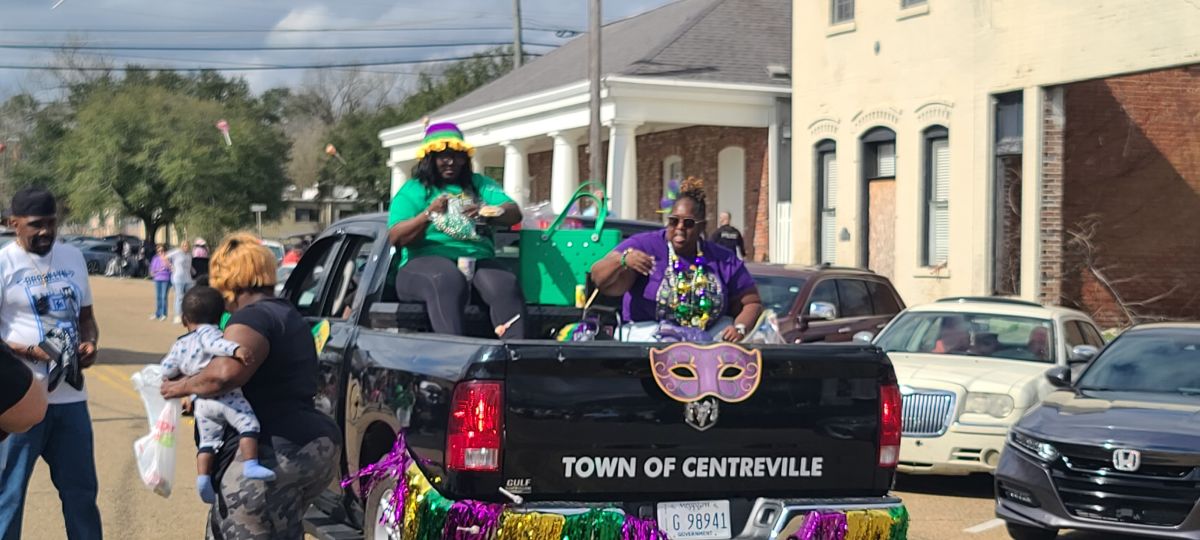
{"points": [[641, 301]]}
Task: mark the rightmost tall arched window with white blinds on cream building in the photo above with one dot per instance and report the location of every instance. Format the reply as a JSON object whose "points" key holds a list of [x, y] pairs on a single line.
{"points": [[938, 197]]}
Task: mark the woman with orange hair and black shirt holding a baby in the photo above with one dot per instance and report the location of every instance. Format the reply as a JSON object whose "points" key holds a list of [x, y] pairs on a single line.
{"points": [[280, 379]]}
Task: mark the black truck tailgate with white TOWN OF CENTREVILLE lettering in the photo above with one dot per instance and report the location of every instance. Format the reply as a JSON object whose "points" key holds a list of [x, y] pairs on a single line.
{"points": [[591, 422]]}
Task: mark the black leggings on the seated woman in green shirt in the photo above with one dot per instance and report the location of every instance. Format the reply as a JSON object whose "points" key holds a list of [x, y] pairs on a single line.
{"points": [[439, 283]]}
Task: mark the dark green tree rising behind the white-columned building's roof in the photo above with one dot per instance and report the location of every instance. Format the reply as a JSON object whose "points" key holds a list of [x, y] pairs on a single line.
{"points": [[364, 165]]}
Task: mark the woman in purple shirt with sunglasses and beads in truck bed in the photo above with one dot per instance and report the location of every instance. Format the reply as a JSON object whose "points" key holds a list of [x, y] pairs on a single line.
{"points": [[679, 278]]}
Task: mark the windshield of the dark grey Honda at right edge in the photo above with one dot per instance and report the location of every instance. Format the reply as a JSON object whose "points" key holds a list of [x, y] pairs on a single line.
{"points": [[1156, 362]]}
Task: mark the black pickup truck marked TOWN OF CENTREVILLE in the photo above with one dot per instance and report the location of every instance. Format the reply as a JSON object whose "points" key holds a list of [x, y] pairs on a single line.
{"points": [[568, 427]]}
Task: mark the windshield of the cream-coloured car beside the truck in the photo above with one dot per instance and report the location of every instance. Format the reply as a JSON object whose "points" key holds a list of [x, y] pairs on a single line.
{"points": [[971, 334]]}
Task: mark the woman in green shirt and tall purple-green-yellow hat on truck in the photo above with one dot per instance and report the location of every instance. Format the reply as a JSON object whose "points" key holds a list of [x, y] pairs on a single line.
{"points": [[435, 219]]}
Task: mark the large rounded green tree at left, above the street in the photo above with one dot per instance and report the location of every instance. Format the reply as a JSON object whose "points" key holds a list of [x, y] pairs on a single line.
{"points": [[154, 153]]}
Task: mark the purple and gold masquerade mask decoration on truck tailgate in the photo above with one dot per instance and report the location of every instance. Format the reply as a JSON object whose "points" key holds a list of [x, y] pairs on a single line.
{"points": [[688, 373]]}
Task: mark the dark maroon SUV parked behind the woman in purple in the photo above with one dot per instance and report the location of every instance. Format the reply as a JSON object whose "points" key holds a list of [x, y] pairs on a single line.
{"points": [[826, 304]]}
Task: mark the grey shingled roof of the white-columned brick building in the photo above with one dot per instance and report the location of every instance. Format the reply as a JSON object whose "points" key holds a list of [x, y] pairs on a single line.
{"points": [[721, 41]]}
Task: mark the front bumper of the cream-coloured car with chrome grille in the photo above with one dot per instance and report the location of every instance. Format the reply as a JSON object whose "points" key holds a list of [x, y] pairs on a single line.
{"points": [[961, 451]]}
